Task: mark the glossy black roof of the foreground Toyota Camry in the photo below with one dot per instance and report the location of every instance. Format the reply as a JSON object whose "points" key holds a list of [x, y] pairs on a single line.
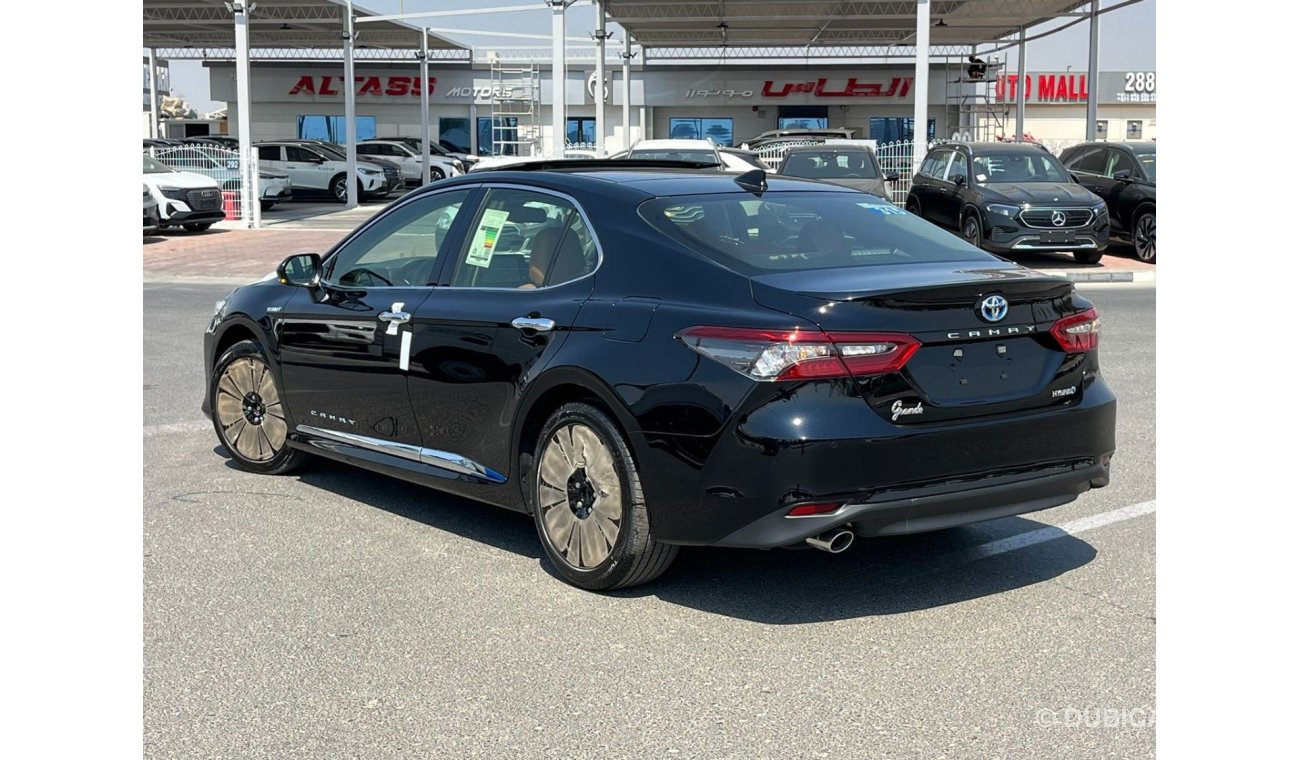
{"points": [[634, 185]]}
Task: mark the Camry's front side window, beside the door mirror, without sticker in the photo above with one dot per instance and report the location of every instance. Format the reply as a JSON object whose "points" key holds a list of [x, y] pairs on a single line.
{"points": [[402, 249]]}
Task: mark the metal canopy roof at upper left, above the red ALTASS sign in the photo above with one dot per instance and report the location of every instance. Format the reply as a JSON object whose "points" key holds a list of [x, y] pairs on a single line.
{"points": [[281, 29]]}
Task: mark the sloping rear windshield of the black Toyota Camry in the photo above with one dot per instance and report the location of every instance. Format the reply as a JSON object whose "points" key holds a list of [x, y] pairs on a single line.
{"points": [[790, 232]]}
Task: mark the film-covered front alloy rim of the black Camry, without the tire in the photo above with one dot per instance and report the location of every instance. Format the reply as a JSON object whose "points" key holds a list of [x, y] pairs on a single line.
{"points": [[249, 410]]}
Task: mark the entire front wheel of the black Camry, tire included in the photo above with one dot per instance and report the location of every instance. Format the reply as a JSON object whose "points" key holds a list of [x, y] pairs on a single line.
{"points": [[245, 405]]}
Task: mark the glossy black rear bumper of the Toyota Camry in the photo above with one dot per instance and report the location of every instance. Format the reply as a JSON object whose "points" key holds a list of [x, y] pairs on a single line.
{"points": [[736, 489]]}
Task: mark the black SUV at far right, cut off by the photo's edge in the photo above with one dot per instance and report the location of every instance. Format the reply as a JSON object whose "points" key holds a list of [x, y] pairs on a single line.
{"points": [[1125, 176]]}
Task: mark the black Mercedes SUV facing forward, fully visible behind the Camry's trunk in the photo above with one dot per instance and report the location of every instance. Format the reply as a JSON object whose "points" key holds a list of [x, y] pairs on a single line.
{"points": [[1009, 198]]}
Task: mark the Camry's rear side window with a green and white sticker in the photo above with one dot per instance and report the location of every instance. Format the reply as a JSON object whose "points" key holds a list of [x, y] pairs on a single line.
{"points": [[526, 240]]}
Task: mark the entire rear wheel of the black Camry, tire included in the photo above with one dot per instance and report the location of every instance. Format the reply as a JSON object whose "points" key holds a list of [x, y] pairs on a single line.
{"points": [[634, 557]]}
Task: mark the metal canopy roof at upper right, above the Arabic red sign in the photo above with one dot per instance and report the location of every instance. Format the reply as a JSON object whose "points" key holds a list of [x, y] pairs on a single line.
{"points": [[675, 29]]}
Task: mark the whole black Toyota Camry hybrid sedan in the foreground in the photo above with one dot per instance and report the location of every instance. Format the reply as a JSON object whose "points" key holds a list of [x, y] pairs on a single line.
{"points": [[645, 358]]}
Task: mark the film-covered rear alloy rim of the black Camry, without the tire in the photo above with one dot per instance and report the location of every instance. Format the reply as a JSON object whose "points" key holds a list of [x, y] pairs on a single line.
{"points": [[580, 497]]}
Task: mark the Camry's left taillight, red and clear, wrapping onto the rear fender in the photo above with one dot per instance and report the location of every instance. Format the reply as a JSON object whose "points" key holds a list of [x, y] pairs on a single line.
{"points": [[773, 355]]}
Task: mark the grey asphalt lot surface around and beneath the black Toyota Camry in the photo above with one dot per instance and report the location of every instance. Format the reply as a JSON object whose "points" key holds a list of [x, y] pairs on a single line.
{"points": [[340, 614]]}
